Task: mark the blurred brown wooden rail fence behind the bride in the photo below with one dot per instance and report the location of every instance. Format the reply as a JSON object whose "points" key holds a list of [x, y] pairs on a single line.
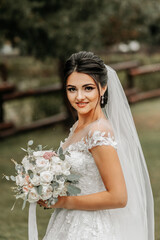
{"points": [[8, 92]]}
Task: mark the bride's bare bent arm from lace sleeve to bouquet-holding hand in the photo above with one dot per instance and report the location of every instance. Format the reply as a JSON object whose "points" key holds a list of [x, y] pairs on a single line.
{"points": [[107, 161]]}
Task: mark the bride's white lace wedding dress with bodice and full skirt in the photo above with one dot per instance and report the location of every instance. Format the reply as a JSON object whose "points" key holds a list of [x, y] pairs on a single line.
{"points": [[79, 224]]}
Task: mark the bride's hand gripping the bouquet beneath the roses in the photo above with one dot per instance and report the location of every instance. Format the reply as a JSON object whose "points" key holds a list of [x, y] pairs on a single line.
{"points": [[61, 203]]}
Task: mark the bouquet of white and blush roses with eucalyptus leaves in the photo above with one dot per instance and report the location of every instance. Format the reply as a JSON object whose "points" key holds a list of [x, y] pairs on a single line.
{"points": [[43, 174]]}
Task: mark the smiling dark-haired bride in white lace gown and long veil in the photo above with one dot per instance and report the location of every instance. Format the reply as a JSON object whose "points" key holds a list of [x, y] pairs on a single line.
{"points": [[116, 201]]}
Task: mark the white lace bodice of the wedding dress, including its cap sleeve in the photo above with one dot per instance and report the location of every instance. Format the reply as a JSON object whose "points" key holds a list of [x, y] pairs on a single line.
{"points": [[82, 161]]}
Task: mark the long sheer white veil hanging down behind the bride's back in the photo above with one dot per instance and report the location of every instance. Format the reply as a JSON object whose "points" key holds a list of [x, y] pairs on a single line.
{"points": [[136, 220]]}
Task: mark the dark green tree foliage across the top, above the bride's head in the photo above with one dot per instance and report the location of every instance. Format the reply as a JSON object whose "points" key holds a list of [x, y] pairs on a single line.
{"points": [[59, 28]]}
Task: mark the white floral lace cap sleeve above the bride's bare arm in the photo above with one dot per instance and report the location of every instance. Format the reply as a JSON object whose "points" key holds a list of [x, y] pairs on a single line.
{"points": [[98, 138]]}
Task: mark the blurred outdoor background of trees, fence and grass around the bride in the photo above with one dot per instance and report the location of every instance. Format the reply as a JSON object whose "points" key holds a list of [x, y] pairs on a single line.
{"points": [[36, 37]]}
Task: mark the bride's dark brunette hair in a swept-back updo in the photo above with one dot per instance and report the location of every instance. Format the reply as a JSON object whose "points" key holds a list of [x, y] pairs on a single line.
{"points": [[88, 63]]}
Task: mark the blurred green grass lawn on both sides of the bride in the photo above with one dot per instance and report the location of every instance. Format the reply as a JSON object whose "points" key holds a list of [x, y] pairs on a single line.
{"points": [[13, 224]]}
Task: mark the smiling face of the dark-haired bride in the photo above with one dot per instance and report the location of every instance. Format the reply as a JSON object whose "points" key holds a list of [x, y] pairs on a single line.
{"points": [[82, 92]]}
